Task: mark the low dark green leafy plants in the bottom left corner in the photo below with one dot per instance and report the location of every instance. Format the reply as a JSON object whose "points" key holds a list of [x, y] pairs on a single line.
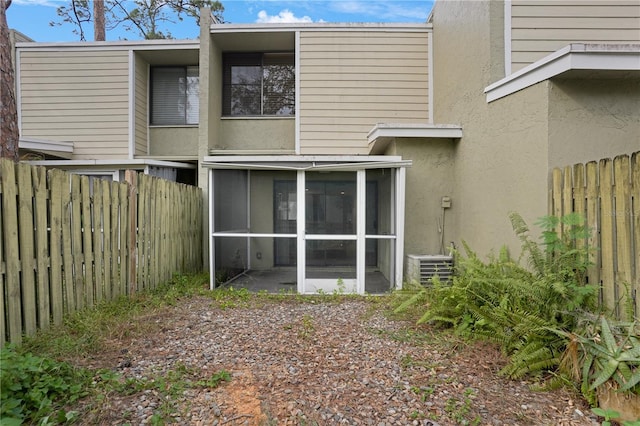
{"points": [[34, 388]]}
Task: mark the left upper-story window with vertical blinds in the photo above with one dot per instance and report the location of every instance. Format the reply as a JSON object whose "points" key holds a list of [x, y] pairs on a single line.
{"points": [[174, 95]]}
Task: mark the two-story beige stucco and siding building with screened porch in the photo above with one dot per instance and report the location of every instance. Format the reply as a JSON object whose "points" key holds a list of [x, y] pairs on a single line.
{"points": [[332, 155]]}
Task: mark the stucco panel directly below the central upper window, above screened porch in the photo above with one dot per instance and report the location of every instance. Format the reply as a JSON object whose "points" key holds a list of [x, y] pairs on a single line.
{"points": [[256, 134]]}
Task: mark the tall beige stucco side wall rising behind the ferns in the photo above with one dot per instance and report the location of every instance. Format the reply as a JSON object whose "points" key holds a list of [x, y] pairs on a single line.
{"points": [[501, 161]]}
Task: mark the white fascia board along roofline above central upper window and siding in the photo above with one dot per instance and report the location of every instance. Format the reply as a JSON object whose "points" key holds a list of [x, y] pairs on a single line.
{"points": [[267, 27]]}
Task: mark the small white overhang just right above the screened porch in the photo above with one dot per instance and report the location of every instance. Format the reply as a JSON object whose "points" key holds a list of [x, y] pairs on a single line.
{"points": [[383, 133]]}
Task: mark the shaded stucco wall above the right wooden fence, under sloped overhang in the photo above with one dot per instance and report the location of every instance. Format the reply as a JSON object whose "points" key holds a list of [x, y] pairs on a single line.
{"points": [[593, 119]]}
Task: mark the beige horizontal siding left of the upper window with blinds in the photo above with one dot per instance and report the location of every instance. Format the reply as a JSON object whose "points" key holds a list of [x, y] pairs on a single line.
{"points": [[77, 96]]}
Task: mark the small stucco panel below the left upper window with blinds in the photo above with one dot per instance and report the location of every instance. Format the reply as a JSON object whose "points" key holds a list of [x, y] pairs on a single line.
{"points": [[173, 141]]}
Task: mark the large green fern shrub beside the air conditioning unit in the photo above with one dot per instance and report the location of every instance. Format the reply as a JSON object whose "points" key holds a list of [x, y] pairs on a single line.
{"points": [[519, 307]]}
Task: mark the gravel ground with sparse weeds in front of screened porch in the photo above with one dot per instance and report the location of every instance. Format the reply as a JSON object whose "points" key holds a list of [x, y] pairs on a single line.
{"points": [[321, 363]]}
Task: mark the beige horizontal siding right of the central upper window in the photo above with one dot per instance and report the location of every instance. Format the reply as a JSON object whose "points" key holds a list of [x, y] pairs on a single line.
{"points": [[352, 80]]}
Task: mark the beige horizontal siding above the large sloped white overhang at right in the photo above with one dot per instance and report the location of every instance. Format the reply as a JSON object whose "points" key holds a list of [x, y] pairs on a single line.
{"points": [[539, 28]]}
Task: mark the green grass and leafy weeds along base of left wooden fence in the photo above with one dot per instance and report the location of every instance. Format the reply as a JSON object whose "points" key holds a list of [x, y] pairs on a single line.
{"points": [[36, 388]]}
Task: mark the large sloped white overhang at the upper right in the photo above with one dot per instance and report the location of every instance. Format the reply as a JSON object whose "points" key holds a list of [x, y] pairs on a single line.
{"points": [[597, 57]]}
